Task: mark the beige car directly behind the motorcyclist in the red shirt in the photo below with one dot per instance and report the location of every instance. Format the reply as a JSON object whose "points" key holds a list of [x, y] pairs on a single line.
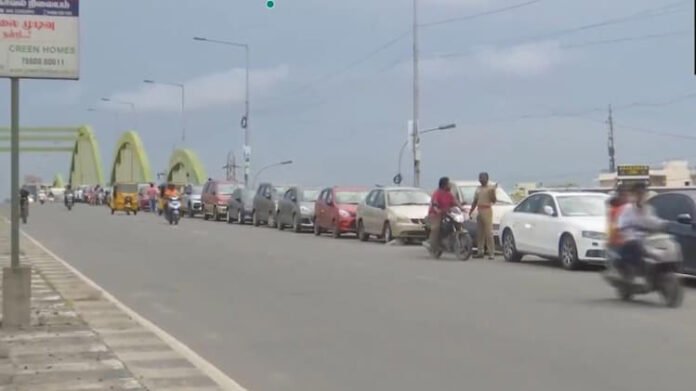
{"points": [[393, 213]]}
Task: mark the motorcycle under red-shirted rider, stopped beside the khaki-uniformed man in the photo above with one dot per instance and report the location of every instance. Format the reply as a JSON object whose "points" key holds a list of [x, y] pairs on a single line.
{"points": [[454, 238]]}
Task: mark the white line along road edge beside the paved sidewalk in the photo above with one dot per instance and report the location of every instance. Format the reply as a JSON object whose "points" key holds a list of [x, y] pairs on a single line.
{"points": [[219, 377]]}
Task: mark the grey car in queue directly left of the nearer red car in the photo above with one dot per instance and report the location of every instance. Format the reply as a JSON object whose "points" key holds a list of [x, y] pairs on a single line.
{"points": [[296, 208]]}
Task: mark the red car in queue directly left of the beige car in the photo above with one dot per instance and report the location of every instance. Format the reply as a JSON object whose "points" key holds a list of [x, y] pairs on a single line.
{"points": [[334, 210]]}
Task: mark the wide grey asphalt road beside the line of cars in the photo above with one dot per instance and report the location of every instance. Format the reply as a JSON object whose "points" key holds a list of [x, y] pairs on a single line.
{"points": [[282, 311]]}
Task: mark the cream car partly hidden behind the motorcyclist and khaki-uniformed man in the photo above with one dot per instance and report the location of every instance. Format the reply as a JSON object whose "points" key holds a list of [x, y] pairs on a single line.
{"points": [[465, 191]]}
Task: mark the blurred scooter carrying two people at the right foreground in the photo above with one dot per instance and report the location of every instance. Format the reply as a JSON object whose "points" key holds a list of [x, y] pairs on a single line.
{"points": [[656, 272]]}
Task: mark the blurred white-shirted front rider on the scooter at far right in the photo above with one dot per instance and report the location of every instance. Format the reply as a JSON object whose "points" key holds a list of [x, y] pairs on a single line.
{"points": [[634, 219]]}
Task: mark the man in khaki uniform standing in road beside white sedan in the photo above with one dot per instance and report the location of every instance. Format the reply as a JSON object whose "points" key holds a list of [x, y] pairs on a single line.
{"points": [[484, 199]]}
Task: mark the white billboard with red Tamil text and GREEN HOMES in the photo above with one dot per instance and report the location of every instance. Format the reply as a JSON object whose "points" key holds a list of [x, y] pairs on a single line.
{"points": [[39, 39]]}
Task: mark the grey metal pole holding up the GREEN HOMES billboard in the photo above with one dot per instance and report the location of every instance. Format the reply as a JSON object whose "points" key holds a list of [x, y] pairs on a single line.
{"points": [[14, 164]]}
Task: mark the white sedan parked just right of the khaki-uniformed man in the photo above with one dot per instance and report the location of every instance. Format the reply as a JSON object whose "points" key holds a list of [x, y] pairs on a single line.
{"points": [[570, 227]]}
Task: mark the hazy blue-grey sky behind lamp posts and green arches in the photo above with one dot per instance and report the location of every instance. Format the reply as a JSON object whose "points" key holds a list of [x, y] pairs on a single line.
{"points": [[325, 97]]}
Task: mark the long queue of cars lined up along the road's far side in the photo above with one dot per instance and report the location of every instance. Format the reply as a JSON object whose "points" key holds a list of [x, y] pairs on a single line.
{"points": [[566, 227]]}
